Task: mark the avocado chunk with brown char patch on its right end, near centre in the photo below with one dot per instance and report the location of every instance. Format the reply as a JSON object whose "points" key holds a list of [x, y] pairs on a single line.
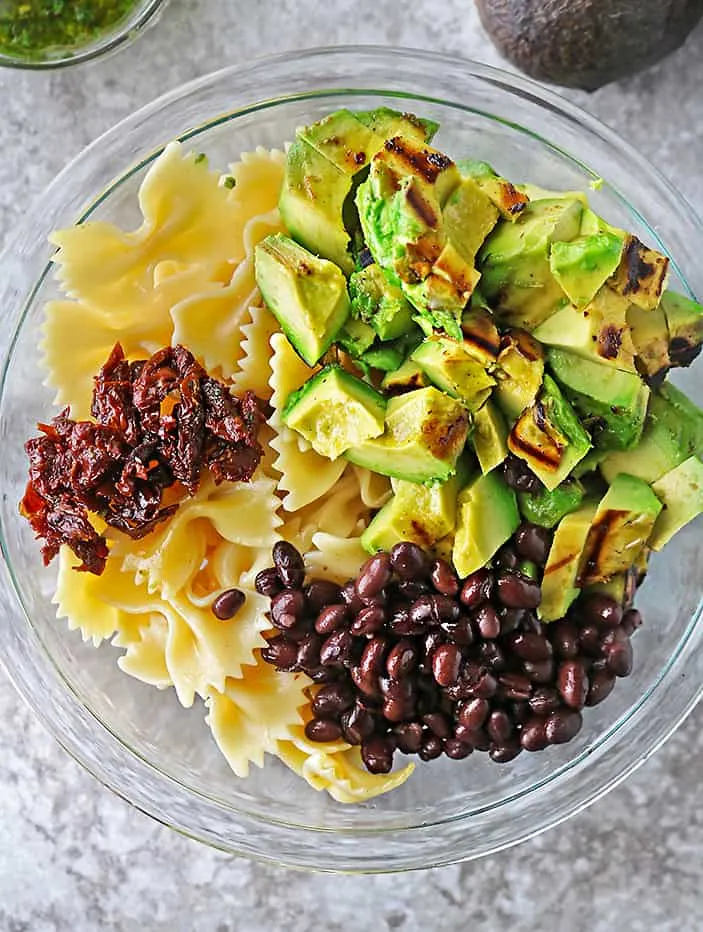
{"points": [[425, 431]]}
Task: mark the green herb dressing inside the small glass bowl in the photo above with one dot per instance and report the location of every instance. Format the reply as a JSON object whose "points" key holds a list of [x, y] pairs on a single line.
{"points": [[30, 29]]}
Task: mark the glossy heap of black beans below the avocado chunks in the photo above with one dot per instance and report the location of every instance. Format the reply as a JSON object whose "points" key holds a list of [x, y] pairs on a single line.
{"points": [[409, 657]]}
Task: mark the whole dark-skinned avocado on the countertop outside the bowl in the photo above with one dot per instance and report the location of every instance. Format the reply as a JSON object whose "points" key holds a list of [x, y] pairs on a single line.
{"points": [[568, 43]]}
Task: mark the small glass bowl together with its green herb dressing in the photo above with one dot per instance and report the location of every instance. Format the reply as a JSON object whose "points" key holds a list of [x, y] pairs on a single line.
{"points": [[41, 34]]}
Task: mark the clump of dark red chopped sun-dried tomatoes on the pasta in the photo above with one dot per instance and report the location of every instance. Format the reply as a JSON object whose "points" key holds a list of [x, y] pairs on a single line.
{"points": [[157, 421]]}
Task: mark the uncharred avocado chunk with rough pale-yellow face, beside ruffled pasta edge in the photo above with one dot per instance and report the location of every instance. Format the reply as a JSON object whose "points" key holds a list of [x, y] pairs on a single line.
{"points": [[334, 410]]}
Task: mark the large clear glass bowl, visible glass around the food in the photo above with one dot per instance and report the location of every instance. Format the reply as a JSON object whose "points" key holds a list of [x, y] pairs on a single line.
{"points": [[139, 741]]}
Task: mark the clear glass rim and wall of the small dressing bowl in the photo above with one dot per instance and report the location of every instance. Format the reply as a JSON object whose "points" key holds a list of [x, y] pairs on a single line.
{"points": [[142, 14]]}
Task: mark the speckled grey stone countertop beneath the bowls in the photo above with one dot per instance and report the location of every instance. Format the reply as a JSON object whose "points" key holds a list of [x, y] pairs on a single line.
{"points": [[73, 856]]}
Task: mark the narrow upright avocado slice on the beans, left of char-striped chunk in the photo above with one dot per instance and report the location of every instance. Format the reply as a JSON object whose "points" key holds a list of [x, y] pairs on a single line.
{"points": [[560, 579]]}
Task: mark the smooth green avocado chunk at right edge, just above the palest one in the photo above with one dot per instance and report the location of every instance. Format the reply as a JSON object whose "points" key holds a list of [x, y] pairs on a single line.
{"points": [[673, 432]]}
